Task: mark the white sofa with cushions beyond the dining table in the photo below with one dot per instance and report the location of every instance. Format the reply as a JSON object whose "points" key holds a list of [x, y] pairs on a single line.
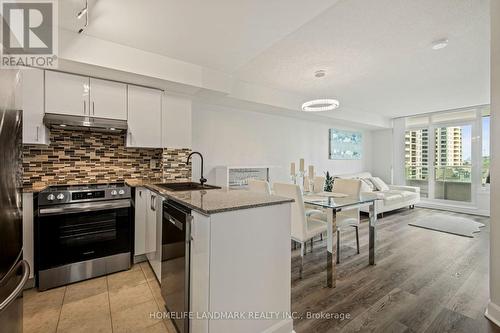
{"points": [[395, 198]]}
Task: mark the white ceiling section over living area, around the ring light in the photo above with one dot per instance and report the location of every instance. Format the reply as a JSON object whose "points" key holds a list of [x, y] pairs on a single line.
{"points": [[379, 58]]}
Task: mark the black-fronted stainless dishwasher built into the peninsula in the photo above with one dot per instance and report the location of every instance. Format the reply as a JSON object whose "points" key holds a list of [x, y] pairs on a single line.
{"points": [[176, 241]]}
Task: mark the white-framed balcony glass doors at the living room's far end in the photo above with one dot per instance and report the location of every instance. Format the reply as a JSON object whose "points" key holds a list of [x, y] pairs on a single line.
{"points": [[444, 155]]}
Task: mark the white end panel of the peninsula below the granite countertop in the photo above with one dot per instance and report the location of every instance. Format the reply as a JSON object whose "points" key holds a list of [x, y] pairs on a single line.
{"points": [[216, 278]]}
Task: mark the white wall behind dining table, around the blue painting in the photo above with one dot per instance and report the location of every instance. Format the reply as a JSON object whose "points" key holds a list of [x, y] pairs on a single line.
{"points": [[228, 136]]}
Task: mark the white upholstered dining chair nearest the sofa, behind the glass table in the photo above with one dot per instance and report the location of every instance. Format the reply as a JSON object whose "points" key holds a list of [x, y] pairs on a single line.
{"points": [[346, 218]]}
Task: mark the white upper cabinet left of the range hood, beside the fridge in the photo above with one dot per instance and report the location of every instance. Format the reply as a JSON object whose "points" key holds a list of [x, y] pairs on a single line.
{"points": [[29, 98]]}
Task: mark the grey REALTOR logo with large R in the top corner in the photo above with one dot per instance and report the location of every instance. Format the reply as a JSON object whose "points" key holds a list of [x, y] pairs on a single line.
{"points": [[29, 33]]}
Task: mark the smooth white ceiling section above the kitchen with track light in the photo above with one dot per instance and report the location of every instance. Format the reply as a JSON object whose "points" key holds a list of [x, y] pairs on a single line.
{"points": [[218, 34]]}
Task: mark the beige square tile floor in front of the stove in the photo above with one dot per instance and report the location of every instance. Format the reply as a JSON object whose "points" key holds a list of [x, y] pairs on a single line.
{"points": [[121, 302]]}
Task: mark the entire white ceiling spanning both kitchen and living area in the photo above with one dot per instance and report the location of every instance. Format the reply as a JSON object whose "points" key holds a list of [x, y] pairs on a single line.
{"points": [[377, 52]]}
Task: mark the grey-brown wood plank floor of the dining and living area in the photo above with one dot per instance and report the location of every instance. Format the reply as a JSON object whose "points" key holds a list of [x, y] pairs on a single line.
{"points": [[424, 281]]}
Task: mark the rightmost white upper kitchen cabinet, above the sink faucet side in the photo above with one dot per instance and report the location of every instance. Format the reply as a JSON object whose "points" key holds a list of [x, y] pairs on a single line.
{"points": [[176, 121]]}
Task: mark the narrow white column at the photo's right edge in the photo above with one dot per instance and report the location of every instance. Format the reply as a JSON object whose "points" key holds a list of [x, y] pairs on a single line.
{"points": [[493, 310]]}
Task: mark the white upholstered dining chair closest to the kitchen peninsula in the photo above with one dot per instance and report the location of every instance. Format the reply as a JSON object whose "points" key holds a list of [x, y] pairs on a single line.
{"points": [[303, 228]]}
